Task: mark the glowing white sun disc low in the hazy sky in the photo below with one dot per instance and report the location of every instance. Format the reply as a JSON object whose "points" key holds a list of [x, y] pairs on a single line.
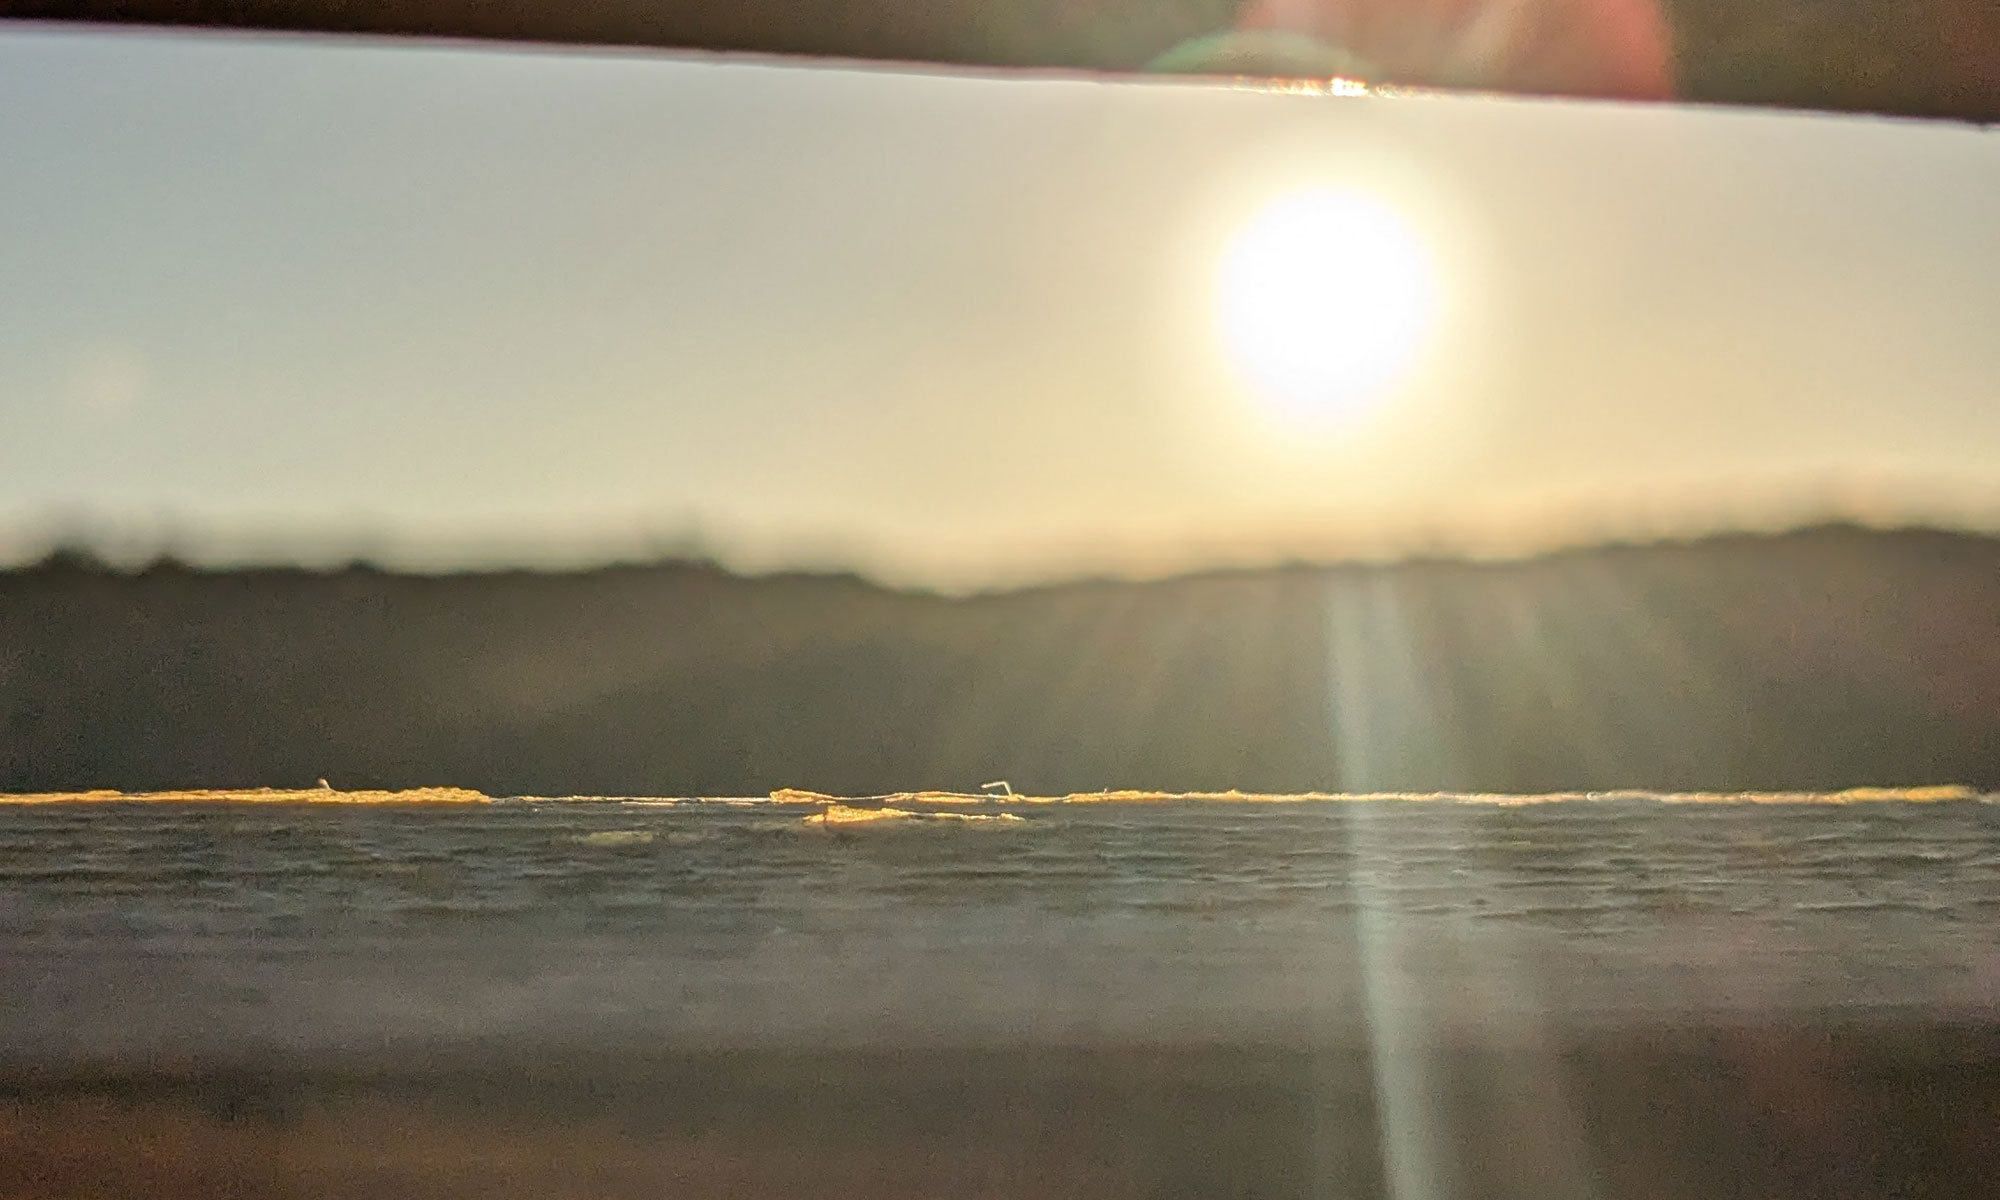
{"points": [[1325, 301]]}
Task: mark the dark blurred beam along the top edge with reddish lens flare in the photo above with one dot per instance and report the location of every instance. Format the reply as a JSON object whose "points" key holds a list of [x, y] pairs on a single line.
{"points": [[1889, 57]]}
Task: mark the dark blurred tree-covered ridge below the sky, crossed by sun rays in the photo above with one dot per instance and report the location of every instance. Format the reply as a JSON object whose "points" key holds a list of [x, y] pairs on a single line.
{"points": [[1803, 661]]}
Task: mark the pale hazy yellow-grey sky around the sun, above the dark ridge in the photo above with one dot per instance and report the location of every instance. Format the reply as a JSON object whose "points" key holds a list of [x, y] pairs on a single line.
{"points": [[457, 305]]}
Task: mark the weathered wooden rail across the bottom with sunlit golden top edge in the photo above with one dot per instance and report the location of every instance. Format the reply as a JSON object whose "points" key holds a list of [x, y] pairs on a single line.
{"points": [[1615, 997]]}
